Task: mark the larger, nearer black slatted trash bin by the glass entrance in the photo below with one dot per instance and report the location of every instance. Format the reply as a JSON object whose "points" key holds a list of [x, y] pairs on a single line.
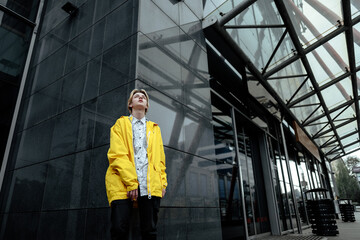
{"points": [[321, 212]]}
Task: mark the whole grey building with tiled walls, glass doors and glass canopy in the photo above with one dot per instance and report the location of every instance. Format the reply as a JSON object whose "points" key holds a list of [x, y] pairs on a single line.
{"points": [[253, 106]]}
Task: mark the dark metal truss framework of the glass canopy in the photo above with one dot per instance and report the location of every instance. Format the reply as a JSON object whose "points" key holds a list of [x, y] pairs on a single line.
{"points": [[217, 32]]}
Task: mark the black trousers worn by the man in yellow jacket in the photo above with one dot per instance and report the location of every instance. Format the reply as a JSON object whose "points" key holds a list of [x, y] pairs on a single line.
{"points": [[121, 213]]}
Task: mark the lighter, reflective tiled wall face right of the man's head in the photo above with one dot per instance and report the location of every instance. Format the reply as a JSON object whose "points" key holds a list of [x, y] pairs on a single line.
{"points": [[172, 67]]}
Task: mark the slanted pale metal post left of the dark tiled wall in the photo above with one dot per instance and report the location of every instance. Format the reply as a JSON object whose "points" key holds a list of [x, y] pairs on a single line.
{"points": [[20, 94]]}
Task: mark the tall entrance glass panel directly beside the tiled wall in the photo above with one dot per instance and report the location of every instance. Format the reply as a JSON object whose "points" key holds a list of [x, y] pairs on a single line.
{"points": [[231, 208]]}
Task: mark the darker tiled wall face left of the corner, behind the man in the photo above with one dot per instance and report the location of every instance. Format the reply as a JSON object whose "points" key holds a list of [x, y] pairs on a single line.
{"points": [[81, 75]]}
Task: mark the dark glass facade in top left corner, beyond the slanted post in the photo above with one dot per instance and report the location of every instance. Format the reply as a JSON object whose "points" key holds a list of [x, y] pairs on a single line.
{"points": [[15, 32]]}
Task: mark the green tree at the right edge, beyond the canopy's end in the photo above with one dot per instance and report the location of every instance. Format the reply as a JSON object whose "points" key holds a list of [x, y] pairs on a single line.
{"points": [[347, 184]]}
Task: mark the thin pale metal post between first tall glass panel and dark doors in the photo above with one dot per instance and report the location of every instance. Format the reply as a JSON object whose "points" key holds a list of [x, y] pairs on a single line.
{"points": [[242, 195]]}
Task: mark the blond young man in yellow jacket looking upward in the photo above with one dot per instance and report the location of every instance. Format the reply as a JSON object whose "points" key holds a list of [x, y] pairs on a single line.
{"points": [[136, 169]]}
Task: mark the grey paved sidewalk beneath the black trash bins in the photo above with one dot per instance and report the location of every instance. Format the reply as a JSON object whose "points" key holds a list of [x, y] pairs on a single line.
{"points": [[347, 231]]}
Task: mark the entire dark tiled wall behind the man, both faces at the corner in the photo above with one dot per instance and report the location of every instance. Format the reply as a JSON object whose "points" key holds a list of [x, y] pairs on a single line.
{"points": [[82, 72]]}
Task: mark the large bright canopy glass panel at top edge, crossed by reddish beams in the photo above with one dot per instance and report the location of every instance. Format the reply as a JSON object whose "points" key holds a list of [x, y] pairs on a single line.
{"points": [[313, 18]]}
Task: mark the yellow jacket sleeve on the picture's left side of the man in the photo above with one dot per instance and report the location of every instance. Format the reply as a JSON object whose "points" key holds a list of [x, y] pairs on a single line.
{"points": [[119, 158]]}
